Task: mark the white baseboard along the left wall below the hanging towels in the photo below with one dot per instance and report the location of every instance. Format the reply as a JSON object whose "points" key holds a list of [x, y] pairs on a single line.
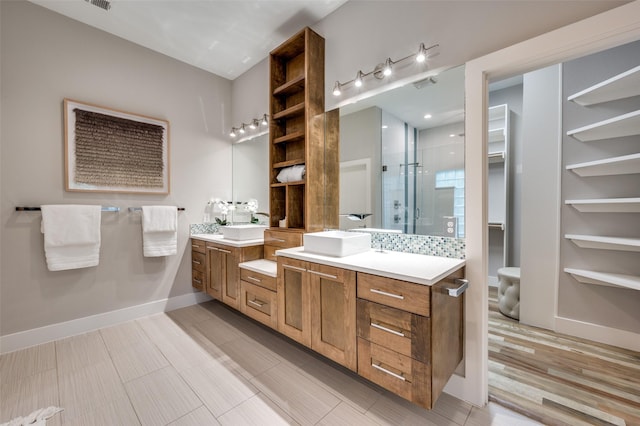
{"points": [[36, 336]]}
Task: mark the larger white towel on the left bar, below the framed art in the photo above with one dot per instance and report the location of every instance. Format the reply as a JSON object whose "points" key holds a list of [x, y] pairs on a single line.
{"points": [[71, 236]]}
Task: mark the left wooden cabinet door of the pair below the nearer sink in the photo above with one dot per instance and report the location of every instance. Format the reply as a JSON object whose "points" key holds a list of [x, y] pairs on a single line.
{"points": [[294, 319]]}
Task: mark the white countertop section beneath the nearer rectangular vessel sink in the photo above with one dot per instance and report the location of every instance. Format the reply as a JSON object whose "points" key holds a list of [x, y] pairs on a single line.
{"points": [[417, 268]]}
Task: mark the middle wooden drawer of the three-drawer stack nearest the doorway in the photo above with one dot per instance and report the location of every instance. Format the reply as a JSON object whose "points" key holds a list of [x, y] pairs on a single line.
{"points": [[406, 333]]}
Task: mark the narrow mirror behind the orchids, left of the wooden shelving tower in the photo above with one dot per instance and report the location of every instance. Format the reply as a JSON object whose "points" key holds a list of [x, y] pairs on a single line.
{"points": [[251, 178]]}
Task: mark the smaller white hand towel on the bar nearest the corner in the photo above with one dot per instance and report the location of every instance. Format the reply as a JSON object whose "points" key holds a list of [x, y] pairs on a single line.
{"points": [[159, 230]]}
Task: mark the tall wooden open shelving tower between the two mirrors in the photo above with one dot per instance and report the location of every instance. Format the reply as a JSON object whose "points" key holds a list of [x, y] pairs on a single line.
{"points": [[298, 136]]}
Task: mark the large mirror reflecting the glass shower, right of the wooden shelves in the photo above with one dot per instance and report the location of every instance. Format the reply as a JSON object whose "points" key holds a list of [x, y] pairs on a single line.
{"points": [[402, 158]]}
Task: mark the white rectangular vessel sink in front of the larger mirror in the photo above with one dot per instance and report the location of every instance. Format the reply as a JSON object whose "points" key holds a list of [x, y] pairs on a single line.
{"points": [[336, 243]]}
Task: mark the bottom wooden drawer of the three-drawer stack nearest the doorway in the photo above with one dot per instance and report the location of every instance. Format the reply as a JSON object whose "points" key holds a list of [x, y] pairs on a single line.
{"points": [[400, 374]]}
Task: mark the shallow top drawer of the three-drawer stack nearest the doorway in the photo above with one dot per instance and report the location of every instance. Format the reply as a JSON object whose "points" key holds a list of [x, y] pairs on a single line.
{"points": [[403, 295]]}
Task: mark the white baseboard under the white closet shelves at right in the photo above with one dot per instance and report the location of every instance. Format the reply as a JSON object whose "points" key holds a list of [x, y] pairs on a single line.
{"points": [[598, 333]]}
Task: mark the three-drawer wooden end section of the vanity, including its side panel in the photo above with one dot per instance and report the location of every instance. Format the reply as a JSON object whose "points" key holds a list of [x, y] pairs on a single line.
{"points": [[410, 338]]}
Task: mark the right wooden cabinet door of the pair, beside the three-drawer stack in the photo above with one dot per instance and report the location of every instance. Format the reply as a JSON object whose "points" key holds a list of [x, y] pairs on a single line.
{"points": [[333, 313]]}
